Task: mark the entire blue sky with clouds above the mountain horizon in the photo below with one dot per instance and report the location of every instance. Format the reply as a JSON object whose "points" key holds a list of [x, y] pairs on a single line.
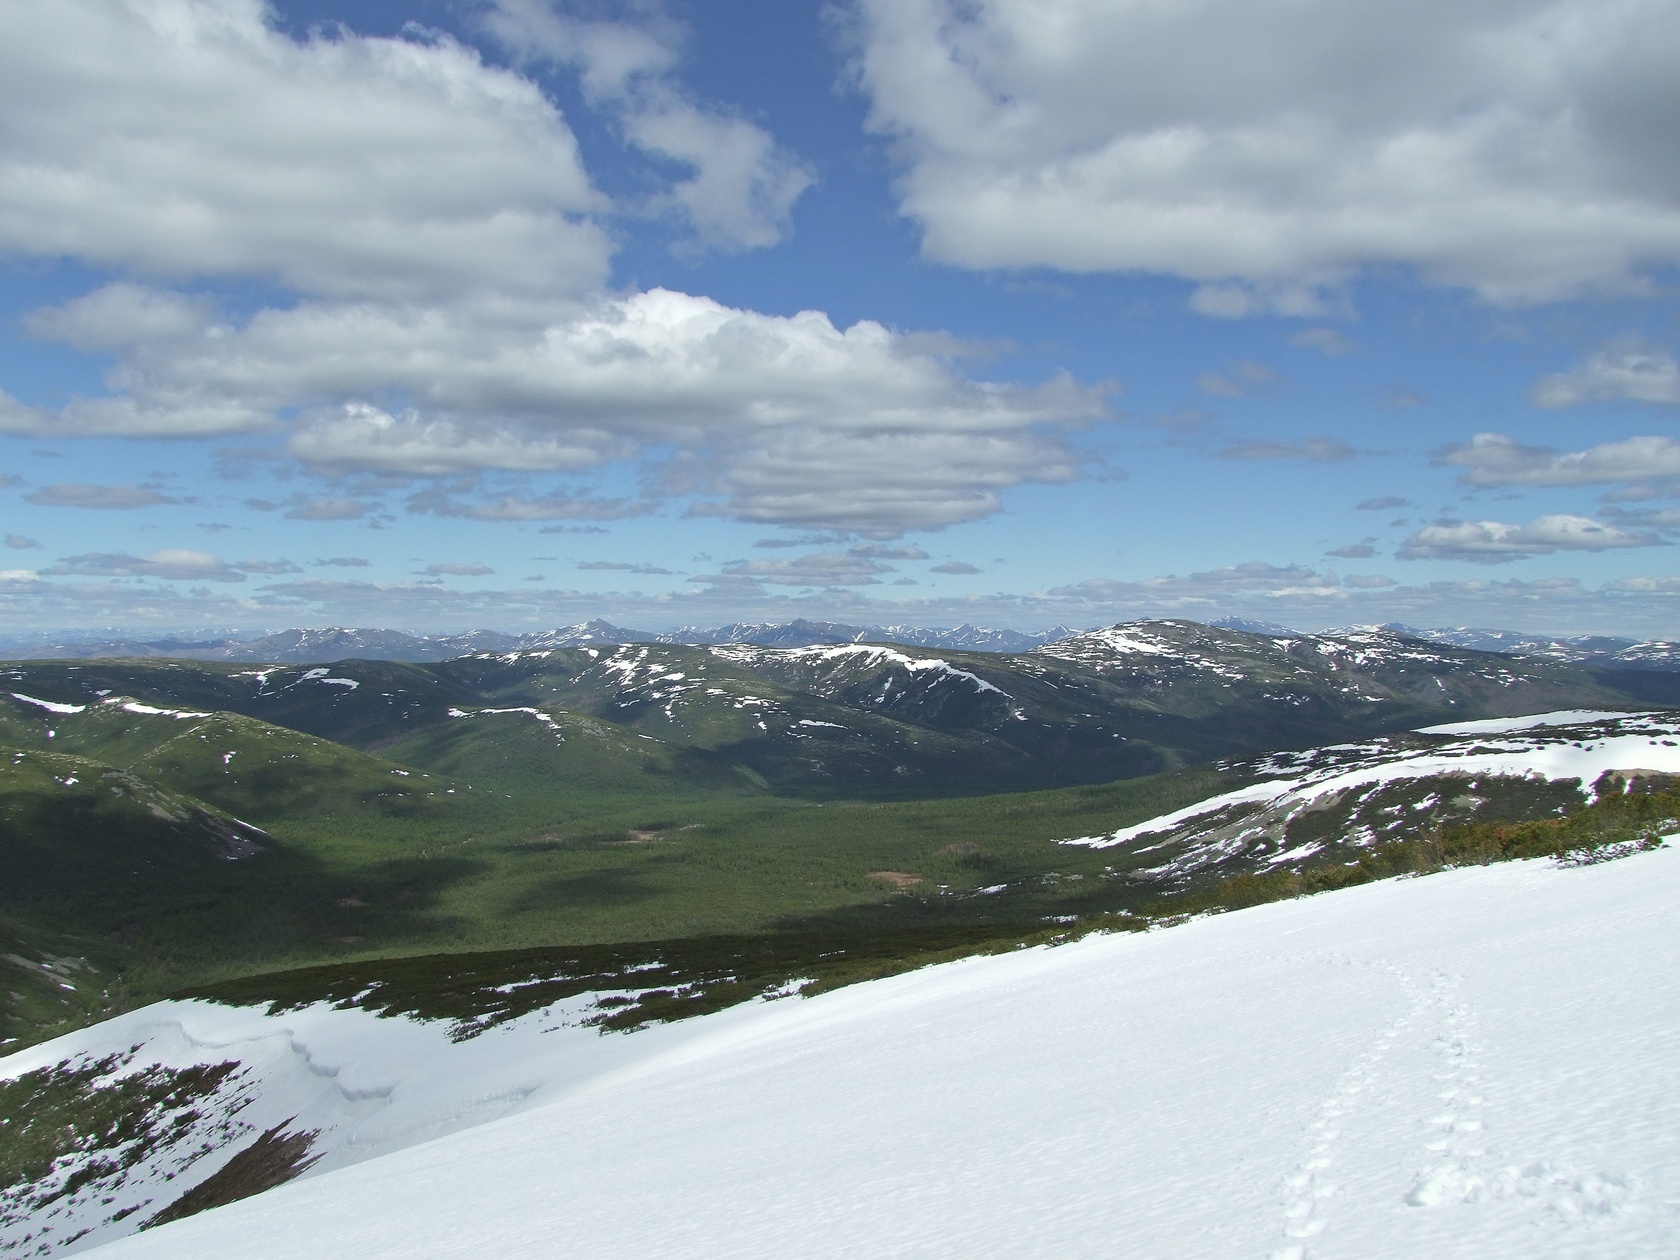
{"points": [[441, 315]]}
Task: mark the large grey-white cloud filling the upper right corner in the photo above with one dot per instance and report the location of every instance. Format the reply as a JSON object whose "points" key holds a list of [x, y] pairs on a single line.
{"points": [[1271, 150]]}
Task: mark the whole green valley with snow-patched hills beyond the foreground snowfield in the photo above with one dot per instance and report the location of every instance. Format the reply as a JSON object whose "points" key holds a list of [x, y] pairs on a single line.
{"points": [[617, 837]]}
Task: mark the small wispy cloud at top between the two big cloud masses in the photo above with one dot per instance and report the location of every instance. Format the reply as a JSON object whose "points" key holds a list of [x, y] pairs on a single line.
{"points": [[743, 186]]}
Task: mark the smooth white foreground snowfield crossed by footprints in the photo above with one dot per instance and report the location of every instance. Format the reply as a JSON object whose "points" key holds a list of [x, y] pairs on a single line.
{"points": [[1478, 1064]]}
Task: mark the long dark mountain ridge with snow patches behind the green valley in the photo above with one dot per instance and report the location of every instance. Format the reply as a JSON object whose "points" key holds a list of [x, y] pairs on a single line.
{"points": [[879, 720]]}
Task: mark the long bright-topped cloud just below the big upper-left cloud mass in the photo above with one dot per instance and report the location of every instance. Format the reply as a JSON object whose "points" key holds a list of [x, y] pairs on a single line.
{"points": [[784, 419]]}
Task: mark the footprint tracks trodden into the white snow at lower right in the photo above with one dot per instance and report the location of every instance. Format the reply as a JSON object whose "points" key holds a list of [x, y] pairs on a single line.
{"points": [[1456, 1163]]}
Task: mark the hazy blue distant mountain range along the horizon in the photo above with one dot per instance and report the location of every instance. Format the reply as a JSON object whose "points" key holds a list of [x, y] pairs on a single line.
{"points": [[357, 644]]}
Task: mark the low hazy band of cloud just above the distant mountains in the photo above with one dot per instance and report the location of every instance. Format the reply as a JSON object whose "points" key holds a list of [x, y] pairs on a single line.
{"points": [[1299, 597]]}
